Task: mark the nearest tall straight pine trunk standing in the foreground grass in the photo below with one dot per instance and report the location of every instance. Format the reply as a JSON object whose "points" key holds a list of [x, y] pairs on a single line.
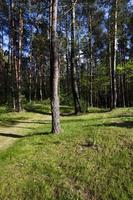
{"points": [[54, 69]]}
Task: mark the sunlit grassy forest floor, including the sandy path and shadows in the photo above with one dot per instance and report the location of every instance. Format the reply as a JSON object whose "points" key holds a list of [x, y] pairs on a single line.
{"points": [[92, 159]]}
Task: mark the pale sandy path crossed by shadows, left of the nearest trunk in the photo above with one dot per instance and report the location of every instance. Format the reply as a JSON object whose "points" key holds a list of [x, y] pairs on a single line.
{"points": [[9, 133]]}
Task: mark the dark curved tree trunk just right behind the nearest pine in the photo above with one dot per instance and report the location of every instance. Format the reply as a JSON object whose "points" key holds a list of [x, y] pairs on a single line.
{"points": [[75, 89]]}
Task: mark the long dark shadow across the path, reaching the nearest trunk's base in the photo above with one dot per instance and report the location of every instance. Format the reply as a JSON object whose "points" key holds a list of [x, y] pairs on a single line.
{"points": [[15, 135]]}
